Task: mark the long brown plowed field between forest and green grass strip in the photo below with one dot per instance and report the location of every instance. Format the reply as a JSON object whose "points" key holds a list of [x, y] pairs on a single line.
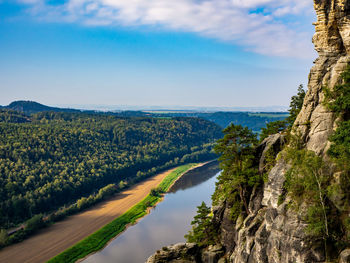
{"points": [[62, 235]]}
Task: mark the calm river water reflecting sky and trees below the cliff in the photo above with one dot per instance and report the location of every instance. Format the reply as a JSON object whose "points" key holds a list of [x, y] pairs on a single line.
{"points": [[167, 223]]}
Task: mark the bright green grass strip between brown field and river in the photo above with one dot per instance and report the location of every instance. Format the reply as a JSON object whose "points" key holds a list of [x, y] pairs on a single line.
{"points": [[100, 238]]}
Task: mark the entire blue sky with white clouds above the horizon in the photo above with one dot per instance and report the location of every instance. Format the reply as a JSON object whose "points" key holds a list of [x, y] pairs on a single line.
{"points": [[223, 53]]}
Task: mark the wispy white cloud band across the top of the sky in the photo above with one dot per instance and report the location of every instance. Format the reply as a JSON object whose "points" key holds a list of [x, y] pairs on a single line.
{"points": [[258, 25]]}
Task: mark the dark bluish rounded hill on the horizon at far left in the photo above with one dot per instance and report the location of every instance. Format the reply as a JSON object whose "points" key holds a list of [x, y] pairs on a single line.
{"points": [[29, 107]]}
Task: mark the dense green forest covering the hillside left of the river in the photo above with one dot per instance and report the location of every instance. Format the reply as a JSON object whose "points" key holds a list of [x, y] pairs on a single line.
{"points": [[57, 158]]}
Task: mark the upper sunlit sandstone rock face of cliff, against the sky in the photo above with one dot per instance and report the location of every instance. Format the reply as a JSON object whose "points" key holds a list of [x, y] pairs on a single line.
{"points": [[332, 42]]}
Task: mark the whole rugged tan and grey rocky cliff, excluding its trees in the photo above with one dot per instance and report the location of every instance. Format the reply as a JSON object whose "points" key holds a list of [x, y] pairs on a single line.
{"points": [[272, 232]]}
